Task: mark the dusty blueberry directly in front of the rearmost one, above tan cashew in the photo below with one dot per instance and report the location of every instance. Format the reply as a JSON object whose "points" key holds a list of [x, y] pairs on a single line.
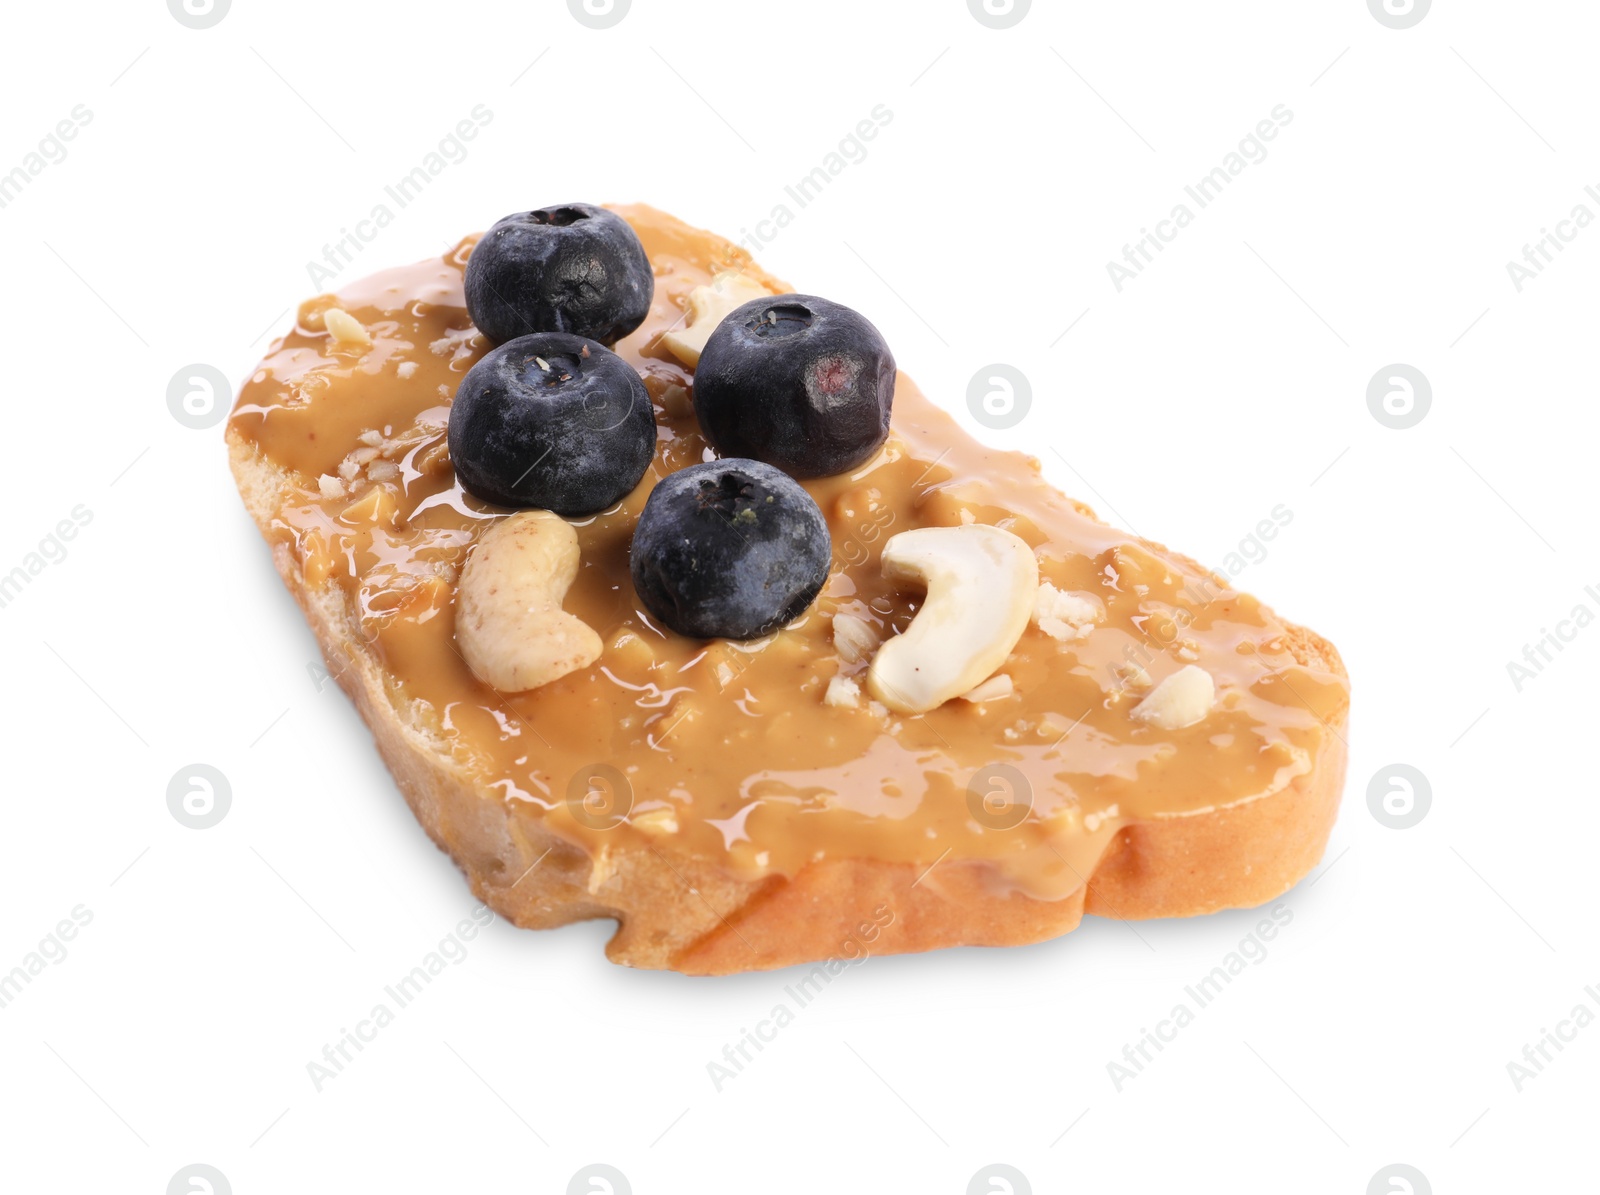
{"points": [[553, 422]]}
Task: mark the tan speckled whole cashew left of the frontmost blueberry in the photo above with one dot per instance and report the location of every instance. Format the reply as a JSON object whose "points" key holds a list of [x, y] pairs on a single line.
{"points": [[510, 618]]}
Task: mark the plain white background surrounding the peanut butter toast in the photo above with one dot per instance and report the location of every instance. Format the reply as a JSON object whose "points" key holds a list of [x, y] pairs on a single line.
{"points": [[1231, 377]]}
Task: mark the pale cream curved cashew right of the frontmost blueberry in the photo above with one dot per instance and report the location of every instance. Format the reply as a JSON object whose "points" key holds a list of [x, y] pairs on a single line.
{"points": [[982, 583]]}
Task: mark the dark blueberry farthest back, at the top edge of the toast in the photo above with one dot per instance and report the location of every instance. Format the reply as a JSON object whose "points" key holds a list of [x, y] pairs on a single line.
{"points": [[577, 270]]}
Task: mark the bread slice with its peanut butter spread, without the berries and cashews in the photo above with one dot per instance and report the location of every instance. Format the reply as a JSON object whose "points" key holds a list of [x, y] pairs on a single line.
{"points": [[1122, 821]]}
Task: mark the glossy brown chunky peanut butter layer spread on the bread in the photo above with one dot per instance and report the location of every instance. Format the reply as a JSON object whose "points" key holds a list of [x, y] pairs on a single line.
{"points": [[734, 740]]}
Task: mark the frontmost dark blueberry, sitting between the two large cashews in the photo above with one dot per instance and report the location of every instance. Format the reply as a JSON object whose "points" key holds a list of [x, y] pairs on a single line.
{"points": [[729, 550]]}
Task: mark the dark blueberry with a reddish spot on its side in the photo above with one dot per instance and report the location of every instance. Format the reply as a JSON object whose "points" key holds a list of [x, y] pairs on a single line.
{"points": [[796, 382]]}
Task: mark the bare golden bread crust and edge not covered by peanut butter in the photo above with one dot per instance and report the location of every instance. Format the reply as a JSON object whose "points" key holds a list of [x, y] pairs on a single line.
{"points": [[694, 916]]}
